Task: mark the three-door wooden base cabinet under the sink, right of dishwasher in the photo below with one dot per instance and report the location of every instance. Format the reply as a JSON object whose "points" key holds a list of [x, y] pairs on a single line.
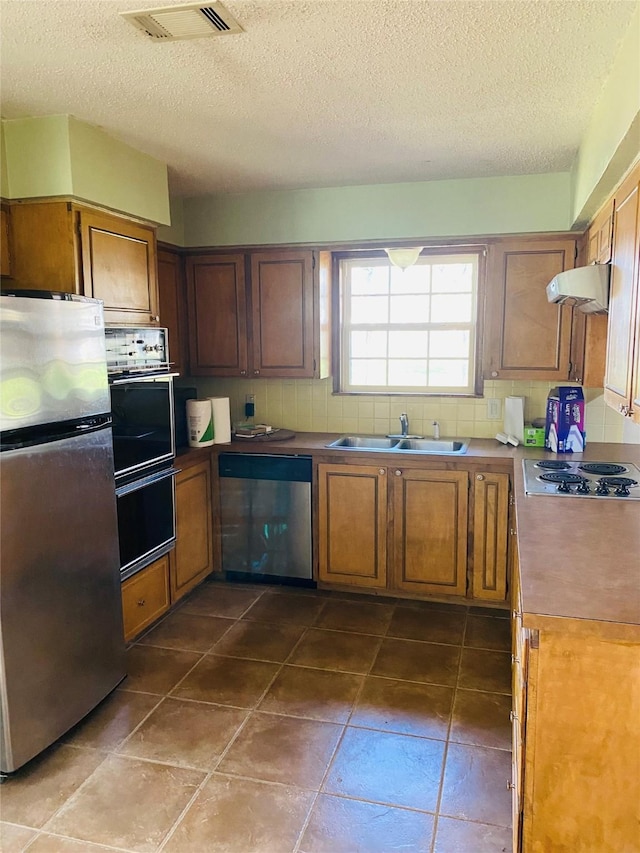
{"points": [[408, 529]]}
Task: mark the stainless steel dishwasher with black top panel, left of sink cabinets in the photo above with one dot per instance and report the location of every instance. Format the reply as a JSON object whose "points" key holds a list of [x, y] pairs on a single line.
{"points": [[266, 517]]}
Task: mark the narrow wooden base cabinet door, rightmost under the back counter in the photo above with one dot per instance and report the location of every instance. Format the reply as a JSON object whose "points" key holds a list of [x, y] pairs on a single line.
{"points": [[490, 536]]}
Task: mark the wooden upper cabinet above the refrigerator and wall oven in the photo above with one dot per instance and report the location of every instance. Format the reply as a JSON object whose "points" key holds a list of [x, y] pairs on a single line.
{"points": [[66, 247]]}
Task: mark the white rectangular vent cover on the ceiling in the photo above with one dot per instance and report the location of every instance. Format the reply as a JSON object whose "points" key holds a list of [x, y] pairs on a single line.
{"points": [[172, 23]]}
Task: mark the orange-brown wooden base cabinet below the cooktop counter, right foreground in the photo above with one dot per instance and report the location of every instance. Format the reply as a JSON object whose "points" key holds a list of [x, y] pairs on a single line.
{"points": [[576, 747]]}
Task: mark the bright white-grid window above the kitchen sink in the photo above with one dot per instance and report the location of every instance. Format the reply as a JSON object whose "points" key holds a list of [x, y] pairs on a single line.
{"points": [[409, 331]]}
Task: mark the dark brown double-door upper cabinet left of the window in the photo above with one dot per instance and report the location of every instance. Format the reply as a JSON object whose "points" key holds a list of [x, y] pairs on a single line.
{"points": [[263, 314]]}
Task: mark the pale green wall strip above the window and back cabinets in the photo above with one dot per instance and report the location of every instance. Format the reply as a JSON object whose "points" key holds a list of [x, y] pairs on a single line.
{"points": [[425, 209]]}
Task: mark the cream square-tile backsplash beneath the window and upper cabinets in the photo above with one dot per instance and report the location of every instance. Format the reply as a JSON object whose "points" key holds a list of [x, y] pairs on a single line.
{"points": [[308, 405]]}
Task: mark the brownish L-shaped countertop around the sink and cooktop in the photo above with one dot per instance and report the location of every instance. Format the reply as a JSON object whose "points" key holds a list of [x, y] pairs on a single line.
{"points": [[579, 558]]}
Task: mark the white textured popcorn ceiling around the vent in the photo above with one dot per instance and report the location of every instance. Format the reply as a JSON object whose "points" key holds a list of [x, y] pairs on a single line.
{"points": [[326, 92]]}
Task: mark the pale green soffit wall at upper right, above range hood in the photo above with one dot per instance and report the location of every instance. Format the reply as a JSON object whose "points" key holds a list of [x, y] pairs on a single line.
{"points": [[612, 140]]}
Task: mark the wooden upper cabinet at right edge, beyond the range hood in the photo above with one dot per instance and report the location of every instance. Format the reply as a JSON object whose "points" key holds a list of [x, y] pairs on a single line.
{"points": [[622, 379]]}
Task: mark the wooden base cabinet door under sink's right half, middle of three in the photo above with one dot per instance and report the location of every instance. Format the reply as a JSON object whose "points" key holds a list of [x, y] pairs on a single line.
{"points": [[430, 531]]}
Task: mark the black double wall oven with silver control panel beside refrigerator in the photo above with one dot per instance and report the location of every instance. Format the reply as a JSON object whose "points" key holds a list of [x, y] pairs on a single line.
{"points": [[141, 387]]}
